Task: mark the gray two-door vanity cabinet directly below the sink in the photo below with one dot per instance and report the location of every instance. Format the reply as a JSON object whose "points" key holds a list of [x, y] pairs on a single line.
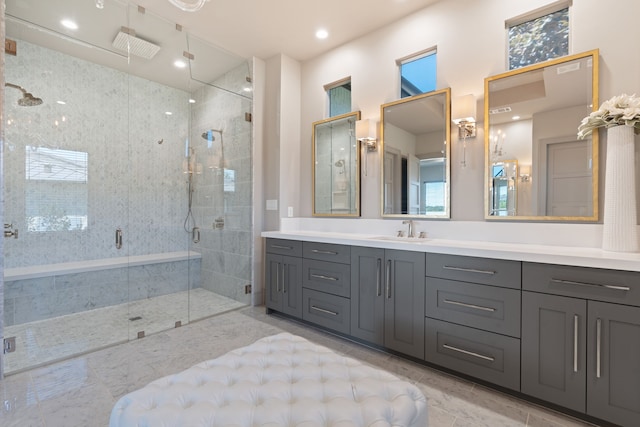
{"points": [[387, 298]]}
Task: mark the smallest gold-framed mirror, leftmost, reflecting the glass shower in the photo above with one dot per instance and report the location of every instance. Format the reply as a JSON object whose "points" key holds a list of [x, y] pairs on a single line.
{"points": [[336, 166]]}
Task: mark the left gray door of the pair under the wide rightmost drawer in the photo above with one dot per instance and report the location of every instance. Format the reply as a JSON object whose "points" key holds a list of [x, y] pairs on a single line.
{"points": [[554, 349]]}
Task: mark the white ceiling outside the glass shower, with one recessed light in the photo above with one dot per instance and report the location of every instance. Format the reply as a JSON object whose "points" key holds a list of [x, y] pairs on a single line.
{"points": [[264, 28]]}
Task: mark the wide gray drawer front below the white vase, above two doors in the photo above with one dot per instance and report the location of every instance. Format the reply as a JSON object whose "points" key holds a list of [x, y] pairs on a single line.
{"points": [[622, 287]]}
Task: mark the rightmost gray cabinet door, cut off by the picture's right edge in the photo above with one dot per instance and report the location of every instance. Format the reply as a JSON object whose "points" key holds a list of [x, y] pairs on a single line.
{"points": [[613, 377]]}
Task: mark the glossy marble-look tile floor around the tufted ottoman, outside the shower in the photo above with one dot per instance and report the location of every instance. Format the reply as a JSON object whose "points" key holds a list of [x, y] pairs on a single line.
{"points": [[81, 391]]}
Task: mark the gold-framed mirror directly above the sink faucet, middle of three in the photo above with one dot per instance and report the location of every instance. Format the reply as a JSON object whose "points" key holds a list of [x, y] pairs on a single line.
{"points": [[415, 163]]}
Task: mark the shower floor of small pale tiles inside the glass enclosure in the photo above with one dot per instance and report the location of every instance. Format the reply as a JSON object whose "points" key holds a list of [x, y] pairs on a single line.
{"points": [[45, 341]]}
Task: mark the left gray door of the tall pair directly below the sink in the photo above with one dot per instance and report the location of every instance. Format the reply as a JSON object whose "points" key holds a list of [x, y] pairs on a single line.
{"points": [[367, 301]]}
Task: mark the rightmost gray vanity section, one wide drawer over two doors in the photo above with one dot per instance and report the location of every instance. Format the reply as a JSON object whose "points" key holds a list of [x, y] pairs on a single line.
{"points": [[581, 334]]}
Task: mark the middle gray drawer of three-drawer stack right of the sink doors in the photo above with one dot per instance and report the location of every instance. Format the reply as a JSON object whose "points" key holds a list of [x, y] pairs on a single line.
{"points": [[484, 307]]}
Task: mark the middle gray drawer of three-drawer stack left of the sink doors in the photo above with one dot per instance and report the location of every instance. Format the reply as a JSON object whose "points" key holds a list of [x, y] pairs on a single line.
{"points": [[329, 277]]}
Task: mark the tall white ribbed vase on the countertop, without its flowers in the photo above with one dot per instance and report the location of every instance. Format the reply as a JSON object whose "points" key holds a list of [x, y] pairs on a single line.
{"points": [[620, 231]]}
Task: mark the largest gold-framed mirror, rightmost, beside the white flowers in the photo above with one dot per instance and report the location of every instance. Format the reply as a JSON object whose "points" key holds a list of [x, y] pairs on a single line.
{"points": [[536, 168]]}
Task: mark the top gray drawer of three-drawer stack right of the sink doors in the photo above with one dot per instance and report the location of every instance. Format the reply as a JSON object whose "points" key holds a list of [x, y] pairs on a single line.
{"points": [[496, 272]]}
